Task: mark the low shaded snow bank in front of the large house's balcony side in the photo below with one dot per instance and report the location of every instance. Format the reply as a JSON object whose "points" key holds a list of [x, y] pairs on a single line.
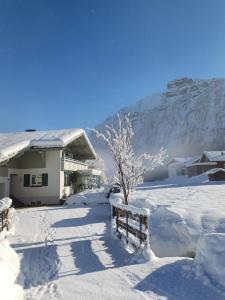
{"points": [[88, 197]]}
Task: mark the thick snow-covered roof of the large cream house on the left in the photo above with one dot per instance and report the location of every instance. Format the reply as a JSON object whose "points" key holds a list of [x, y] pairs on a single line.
{"points": [[12, 143]]}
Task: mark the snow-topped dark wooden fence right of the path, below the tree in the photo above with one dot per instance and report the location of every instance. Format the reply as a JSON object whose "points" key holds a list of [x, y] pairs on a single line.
{"points": [[131, 223]]}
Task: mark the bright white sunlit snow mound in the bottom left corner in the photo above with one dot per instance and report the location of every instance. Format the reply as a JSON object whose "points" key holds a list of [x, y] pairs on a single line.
{"points": [[9, 270]]}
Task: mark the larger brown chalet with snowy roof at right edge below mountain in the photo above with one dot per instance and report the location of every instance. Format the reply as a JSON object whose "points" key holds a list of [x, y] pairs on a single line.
{"points": [[207, 161]]}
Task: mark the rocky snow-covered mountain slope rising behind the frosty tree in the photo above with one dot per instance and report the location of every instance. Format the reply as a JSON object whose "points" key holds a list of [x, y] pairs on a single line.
{"points": [[187, 118]]}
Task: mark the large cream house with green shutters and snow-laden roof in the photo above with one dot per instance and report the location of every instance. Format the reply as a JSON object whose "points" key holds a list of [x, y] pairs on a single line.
{"points": [[42, 167]]}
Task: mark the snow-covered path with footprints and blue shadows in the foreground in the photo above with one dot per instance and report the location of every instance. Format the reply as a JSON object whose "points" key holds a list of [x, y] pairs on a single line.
{"points": [[68, 253]]}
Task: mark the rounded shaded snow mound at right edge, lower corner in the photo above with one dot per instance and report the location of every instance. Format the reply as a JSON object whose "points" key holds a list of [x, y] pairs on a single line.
{"points": [[210, 259]]}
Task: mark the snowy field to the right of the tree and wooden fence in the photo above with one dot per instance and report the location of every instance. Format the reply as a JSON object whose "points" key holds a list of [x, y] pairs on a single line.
{"points": [[182, 210]]}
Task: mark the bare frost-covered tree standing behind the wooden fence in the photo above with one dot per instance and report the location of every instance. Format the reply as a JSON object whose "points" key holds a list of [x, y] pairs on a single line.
{"points": [[130, 169]]}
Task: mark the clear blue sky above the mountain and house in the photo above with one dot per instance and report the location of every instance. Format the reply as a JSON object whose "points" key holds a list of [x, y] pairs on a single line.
{"points": [[67, 63]]}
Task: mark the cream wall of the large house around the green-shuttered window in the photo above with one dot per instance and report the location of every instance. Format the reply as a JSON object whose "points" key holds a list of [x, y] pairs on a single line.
{"points": [[45, 194]]}
